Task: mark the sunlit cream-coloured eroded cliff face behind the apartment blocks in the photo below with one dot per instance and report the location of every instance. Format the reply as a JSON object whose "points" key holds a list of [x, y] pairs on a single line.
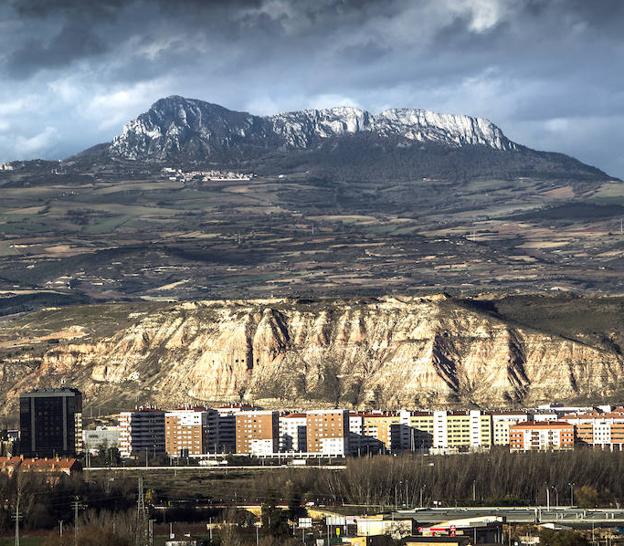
{"points": [[410, 352]]}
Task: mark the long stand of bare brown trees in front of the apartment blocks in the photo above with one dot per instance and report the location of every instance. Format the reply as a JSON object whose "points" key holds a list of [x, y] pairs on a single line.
{"points": [[496, 477]]}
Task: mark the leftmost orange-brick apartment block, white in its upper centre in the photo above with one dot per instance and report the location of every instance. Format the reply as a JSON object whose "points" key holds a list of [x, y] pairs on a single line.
{"points": [[191, 432]]}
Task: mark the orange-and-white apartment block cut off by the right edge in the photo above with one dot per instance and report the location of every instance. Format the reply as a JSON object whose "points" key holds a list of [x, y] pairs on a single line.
{"points": [[596, 429]]}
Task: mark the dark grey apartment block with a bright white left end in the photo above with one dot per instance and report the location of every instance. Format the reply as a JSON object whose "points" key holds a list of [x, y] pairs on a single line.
{"points": [[142, 431]]}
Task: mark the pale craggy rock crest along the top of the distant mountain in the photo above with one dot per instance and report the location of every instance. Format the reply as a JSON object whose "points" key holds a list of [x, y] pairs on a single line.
{"points": [[175, 125]]}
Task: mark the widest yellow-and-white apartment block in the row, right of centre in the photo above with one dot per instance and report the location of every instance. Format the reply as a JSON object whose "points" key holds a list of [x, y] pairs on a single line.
{"points": [[461, 431]]}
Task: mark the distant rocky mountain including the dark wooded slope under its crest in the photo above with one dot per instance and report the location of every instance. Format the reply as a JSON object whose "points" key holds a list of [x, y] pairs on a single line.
{"points": [[350, 141]]}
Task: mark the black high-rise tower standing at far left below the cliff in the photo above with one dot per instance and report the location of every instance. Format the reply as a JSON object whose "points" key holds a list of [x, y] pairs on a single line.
{"points": [[50, 422]]}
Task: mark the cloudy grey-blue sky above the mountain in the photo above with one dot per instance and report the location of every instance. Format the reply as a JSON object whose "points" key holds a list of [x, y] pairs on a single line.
{"points": [[550, 73]]}
